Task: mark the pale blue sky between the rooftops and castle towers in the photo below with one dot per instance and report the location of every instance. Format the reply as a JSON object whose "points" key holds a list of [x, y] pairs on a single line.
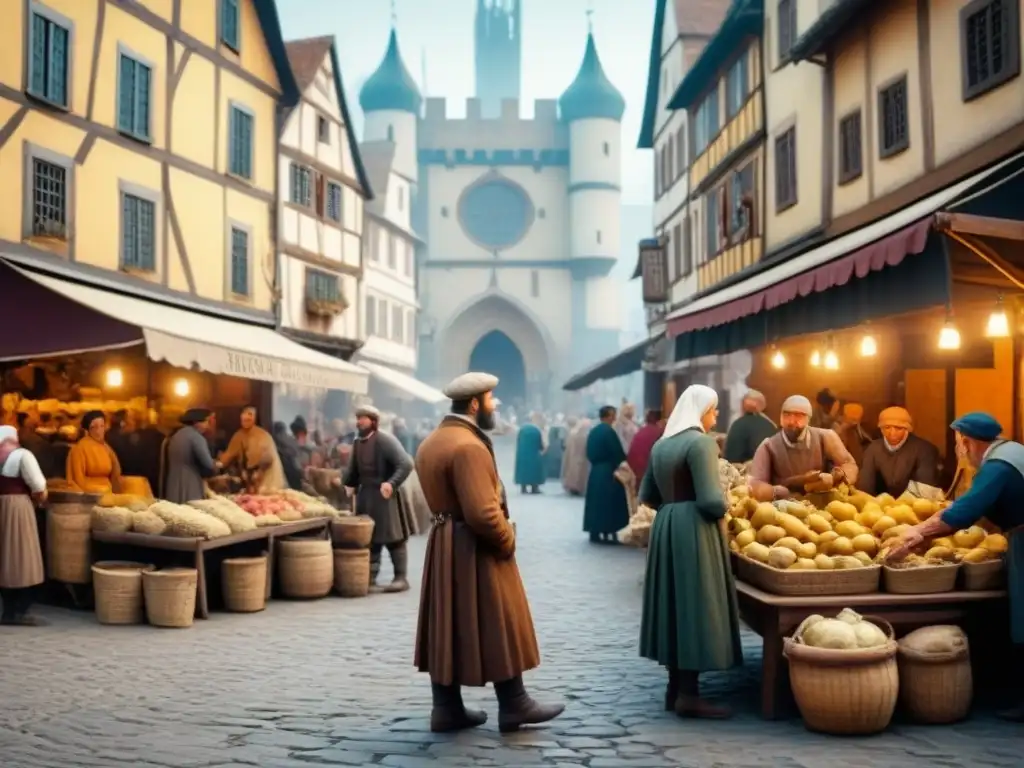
{"points": [[442, 32]]}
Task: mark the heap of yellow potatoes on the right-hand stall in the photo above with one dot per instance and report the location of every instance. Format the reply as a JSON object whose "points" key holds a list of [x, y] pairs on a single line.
{"points": [[850, 534]]}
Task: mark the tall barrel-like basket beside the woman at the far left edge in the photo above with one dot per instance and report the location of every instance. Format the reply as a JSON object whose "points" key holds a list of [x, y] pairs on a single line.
{"points": [[69, 537]]}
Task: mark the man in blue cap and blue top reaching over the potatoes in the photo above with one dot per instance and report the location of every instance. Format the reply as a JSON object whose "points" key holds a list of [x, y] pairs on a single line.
{"points": [[996, 494]]}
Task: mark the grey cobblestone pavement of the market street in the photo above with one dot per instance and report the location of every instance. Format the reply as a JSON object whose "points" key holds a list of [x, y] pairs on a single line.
{"points": [[331, 684]]}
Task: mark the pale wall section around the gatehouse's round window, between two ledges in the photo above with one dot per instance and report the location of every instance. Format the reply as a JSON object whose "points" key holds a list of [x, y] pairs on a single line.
{"points": [[547, 239]]}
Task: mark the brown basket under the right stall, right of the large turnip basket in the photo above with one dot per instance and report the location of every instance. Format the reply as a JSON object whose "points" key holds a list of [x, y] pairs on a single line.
{"points": [[935, 689]]}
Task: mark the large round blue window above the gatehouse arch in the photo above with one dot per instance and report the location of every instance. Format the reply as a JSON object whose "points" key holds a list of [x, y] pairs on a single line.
{"points": [[495, 212]]}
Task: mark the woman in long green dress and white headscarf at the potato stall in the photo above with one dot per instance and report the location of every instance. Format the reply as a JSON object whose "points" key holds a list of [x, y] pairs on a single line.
{"points": [[691, 620]]}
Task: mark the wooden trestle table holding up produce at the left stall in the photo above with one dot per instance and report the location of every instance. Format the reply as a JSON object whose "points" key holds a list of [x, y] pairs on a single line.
{"points": [[200, 547]]}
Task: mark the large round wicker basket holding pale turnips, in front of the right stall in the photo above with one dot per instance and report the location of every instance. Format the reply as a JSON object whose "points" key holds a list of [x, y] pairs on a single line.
{"points": [[845, 693]]}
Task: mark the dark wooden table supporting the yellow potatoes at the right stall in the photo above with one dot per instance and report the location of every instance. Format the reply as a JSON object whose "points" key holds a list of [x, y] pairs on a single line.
{"points": [[776, 618]]}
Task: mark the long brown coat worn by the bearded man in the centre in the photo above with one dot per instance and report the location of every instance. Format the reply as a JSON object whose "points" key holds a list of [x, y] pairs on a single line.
{"points": [[476, 627]]}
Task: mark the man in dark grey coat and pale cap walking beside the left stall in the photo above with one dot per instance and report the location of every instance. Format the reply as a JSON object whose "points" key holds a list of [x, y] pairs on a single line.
{"points": [[378, 467]]}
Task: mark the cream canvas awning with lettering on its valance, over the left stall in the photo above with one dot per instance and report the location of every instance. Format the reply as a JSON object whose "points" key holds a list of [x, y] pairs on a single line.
{"points": [[185, 339]]}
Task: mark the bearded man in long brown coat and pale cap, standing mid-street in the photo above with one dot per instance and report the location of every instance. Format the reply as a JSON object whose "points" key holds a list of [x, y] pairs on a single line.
{"points": [[476, 627]]}
